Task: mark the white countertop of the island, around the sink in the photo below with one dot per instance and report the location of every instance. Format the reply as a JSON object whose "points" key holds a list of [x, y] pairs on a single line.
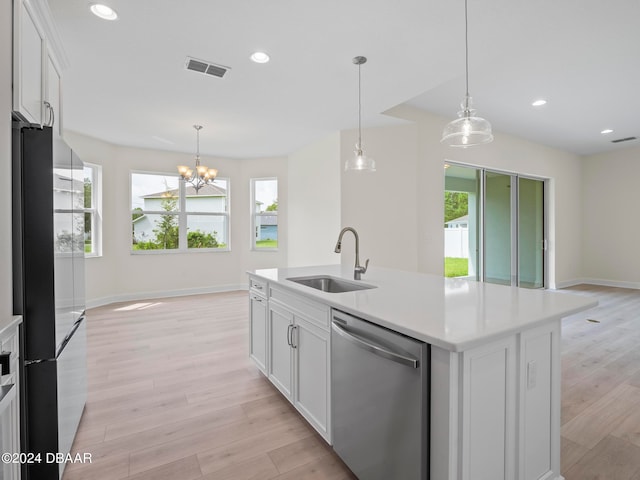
{"points": [[451, 313]]}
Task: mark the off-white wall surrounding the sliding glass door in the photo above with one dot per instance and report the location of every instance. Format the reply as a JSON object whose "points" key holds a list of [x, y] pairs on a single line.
{"points": [[410, 178]]}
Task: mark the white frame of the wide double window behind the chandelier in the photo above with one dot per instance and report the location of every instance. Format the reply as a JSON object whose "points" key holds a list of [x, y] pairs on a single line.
{"points": [[182, 215]]}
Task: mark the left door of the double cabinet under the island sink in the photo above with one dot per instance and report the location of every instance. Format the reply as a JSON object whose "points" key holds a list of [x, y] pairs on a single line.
{"points": [[280, 351]]}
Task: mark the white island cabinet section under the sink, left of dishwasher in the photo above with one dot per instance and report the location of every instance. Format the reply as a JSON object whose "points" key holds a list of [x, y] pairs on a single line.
{"points": [[298, 349]]}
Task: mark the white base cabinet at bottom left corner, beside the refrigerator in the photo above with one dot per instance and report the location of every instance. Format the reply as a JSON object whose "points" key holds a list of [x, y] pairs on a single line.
{"points": [[10, 401]]}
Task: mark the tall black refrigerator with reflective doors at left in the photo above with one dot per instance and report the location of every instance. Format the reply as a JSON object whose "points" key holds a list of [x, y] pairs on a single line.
{"points": [[48, 256]]}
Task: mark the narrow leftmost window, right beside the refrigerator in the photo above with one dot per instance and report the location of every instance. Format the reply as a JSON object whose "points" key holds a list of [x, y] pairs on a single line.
{"points": [[92, 210]]}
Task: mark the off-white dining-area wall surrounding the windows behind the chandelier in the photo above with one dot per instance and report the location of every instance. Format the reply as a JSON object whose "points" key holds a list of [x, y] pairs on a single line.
{"points": [[120, 275]]}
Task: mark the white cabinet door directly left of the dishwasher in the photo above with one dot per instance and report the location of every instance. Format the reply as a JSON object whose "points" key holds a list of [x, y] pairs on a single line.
{"points": [[312, 350]]}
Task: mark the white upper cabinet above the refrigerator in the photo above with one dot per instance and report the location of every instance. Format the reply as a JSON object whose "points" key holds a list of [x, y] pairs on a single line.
{"points": [[37, 65]]}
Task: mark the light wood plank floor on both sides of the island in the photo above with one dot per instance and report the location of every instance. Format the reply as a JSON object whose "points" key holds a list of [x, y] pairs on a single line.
{"points": [[172, 395]]}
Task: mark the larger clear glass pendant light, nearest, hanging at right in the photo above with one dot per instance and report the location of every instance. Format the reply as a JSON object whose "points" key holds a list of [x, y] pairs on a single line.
{"points": [[467, 130]]}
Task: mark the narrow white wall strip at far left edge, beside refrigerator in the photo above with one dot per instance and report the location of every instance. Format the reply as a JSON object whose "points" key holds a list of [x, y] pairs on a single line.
{"points": [[6, 289]]}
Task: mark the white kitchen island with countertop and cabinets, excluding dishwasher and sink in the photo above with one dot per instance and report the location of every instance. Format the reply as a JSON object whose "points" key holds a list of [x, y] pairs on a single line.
{"points": [[495, 360]]}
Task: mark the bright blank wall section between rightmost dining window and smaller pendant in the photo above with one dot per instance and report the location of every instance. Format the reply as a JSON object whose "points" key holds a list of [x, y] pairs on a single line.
{"points": [[314, 203]]}
